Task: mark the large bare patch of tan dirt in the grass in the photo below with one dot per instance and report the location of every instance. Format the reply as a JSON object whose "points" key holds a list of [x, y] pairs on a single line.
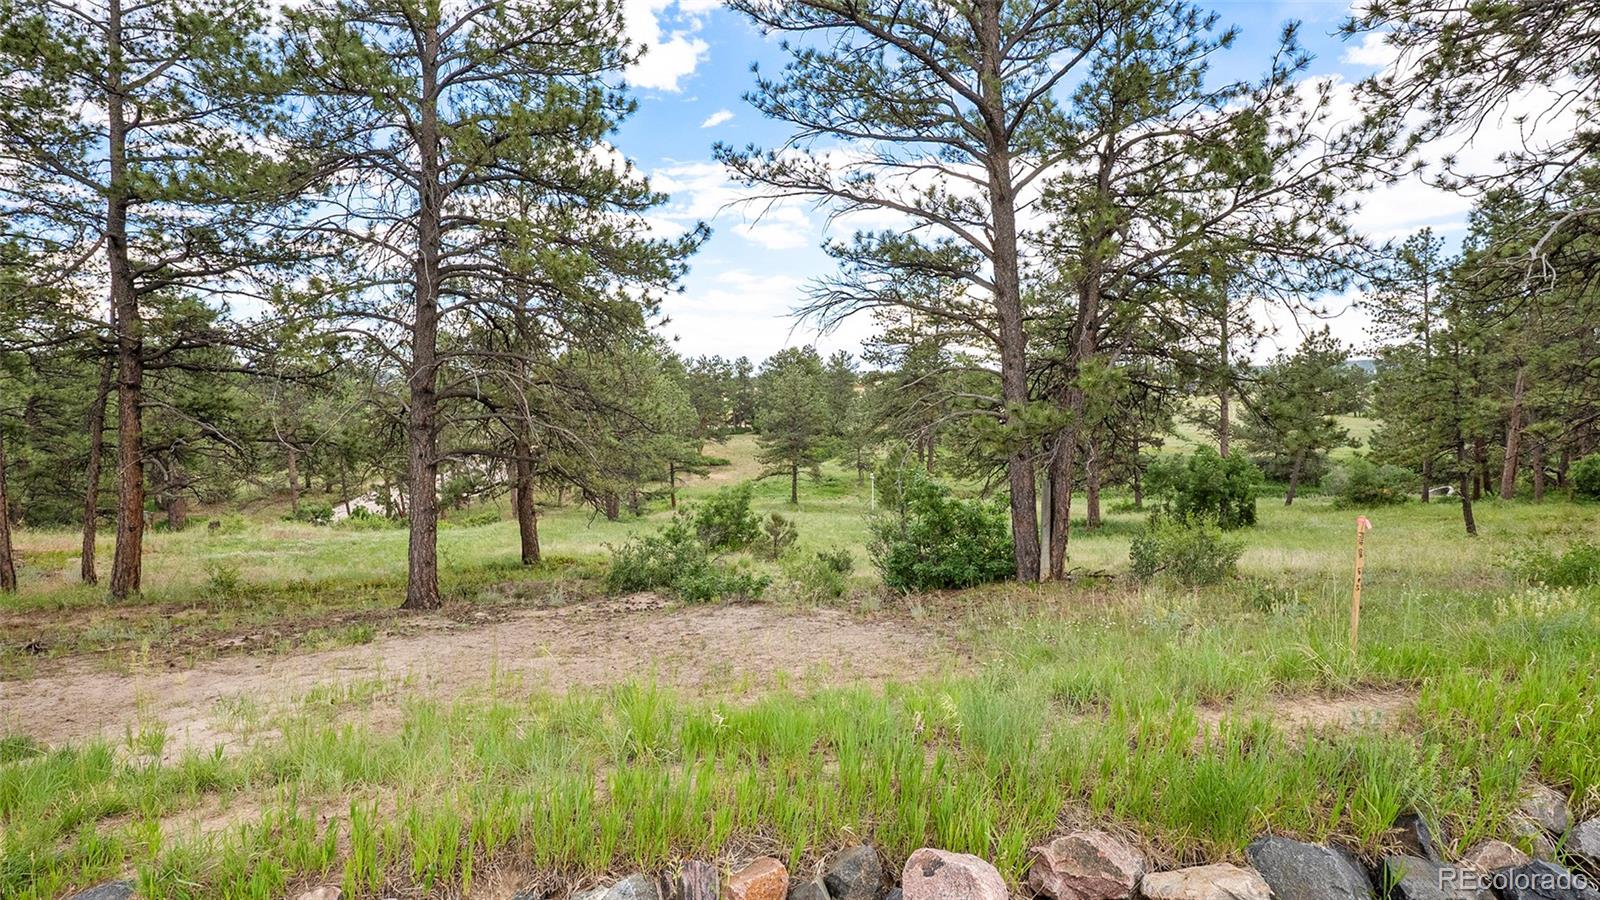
{"points": [[708, 651]]}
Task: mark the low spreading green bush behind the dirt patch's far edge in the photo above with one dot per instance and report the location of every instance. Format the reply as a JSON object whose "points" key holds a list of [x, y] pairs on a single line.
{"points": [[676, 561]]}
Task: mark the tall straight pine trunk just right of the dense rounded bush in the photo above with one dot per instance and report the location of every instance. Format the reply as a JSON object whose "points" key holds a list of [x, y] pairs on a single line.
{"points": [[1007, 291]]}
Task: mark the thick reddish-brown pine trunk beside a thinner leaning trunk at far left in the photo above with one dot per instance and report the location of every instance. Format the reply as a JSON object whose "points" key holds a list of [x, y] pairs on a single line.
{"points": [[127, 568]]}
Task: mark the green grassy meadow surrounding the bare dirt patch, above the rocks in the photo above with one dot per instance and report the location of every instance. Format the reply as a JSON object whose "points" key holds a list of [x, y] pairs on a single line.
{"points": [[1174, 715]]}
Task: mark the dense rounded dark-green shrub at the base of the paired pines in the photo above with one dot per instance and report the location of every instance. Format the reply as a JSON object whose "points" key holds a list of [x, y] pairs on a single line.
{"points": [[930, 540]]}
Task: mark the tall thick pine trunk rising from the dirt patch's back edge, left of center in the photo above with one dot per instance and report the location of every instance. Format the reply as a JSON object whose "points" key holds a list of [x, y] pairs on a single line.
{"points": [[423, 422]]}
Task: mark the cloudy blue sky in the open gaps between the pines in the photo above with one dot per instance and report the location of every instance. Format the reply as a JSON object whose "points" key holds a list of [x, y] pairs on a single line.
{"points": [[745, 281]]}
